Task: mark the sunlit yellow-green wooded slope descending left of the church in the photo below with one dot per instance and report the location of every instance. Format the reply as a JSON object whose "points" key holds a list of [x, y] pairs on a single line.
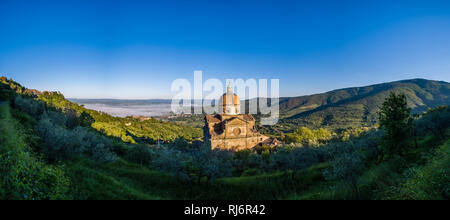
{"points": [[129, 129]]}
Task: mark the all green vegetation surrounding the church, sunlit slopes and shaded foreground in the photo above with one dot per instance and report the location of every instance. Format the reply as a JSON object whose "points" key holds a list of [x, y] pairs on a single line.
{"points": [[51, 148]]}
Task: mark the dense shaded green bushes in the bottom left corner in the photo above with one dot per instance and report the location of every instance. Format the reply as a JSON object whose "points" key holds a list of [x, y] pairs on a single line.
{"points": [[24, 175]]}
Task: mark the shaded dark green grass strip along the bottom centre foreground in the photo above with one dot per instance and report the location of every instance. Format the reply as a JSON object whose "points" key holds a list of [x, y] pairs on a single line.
{"points": [[125, 180]]}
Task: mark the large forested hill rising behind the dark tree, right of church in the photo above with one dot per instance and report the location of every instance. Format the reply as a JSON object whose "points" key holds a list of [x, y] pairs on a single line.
{"points": [[358, 106]]}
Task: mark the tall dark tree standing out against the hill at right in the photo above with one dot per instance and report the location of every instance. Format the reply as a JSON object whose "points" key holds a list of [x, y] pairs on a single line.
{"points": [[395, 120]]}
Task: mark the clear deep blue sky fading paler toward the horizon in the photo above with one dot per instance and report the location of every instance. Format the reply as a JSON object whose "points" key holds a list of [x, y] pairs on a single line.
{"points": [[135, 49]]}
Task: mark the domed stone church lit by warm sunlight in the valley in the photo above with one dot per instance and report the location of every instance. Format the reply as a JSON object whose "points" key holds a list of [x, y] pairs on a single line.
{"points": [[231, 130]]}
